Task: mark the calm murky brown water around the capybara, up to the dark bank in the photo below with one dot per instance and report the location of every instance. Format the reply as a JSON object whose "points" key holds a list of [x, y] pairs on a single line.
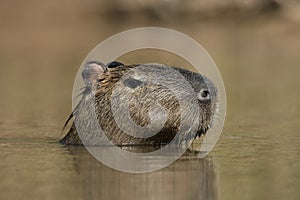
{"points": [[257, 156]]}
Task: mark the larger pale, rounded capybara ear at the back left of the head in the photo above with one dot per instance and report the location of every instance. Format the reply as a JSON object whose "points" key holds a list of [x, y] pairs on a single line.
{"points": [[93, 70]]}
